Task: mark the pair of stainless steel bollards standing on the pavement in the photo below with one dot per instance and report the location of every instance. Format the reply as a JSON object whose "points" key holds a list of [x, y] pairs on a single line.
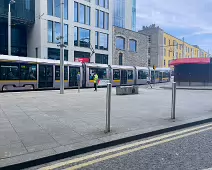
{"points": [[108, 104]]}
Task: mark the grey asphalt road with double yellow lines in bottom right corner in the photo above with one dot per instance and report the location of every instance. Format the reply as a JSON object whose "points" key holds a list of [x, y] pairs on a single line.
{"points": [[189, 149]]}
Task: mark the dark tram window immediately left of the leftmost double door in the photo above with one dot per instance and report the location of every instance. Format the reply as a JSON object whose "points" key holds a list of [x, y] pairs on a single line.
{"points": [[28, 72]]}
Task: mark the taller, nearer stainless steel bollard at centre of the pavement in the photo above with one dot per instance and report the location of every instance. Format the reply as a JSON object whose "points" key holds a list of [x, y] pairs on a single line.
{"points": [[108, 107]]}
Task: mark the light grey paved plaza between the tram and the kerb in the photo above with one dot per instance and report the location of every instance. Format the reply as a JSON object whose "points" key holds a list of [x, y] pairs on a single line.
{"points": [[43, 123]]}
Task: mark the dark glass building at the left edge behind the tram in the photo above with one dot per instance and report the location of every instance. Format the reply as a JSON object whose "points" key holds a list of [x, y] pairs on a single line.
{"points": [[22, 21]]}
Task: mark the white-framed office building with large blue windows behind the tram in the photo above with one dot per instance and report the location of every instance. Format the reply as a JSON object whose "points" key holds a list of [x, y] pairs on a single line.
{"points": [[87, 30]]}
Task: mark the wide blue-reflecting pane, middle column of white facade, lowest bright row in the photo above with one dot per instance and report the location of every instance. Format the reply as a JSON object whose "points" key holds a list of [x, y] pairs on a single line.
{"points": [[84, 37]]}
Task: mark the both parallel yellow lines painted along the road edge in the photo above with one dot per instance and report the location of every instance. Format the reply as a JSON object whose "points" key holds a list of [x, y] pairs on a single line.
{"points": [[126, 149]]}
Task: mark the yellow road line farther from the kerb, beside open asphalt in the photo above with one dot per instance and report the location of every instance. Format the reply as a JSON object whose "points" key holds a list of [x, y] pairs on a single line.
{"points": [[134, 150]]}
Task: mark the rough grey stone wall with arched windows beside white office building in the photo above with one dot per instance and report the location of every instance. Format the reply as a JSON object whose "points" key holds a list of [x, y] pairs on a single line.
{"points": [[138, 58]]}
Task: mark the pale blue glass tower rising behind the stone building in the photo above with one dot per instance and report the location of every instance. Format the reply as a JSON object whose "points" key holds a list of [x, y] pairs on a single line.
{"points": [[124, 14]]}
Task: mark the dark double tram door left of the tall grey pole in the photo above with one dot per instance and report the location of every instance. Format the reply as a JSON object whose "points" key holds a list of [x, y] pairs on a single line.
{"points": [[45, 76]]}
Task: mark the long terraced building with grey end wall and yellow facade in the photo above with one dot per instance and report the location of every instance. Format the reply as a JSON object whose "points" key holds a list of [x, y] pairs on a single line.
{"points": [[165, 48]]}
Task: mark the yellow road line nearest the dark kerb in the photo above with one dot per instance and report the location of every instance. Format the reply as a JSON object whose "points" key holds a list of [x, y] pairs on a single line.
{"points": [[121, 148]]}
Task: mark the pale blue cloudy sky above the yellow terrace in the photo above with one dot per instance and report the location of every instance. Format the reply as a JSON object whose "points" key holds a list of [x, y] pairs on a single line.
{"points": [[191, 19]]}
